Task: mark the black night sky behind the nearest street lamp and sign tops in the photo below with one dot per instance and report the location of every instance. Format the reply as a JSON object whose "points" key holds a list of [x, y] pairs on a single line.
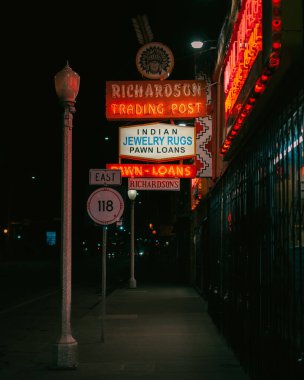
{"points": [[99, 41]]}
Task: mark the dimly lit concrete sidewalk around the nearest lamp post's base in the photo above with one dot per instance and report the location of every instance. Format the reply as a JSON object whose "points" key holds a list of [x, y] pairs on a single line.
{"points": [[151, 333]]}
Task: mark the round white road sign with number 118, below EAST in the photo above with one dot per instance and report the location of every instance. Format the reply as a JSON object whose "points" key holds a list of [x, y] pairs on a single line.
{"points": [[105, 206]]}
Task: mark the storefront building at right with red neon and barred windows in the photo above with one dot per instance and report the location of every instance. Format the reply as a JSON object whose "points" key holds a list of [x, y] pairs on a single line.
{"points": [[249, 259]]}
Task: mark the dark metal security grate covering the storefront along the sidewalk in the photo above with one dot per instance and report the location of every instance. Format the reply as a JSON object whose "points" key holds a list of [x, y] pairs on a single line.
{"points": [[256, 248]]}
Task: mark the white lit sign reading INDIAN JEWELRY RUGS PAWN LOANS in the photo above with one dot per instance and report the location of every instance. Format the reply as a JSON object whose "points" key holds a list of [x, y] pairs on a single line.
{"points": [[156, 142]]}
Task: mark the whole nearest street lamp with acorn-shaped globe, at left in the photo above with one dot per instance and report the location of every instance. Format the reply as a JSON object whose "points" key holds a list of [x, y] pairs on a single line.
{"points": [[66, 348]]}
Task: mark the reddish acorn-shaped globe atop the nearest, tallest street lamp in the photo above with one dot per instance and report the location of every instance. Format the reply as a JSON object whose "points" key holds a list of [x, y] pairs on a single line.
{"points": [[67, 84]]}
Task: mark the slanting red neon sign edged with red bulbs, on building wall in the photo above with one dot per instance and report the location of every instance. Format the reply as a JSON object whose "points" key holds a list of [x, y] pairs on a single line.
{"points": [[244, 51]]}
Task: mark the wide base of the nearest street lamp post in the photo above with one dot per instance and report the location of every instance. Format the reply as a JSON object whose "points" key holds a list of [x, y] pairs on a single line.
{"points": [[65, 355]]}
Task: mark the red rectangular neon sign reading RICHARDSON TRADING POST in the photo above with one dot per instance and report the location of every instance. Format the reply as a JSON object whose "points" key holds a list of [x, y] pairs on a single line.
{"points": [[139, 100]]}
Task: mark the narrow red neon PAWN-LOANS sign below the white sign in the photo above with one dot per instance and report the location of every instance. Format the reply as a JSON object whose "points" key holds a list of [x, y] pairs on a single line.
{"points": [[160, 171]]}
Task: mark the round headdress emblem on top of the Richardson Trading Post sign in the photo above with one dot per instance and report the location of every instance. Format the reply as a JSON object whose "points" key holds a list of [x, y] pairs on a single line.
{"points": [[155, 61]]}
